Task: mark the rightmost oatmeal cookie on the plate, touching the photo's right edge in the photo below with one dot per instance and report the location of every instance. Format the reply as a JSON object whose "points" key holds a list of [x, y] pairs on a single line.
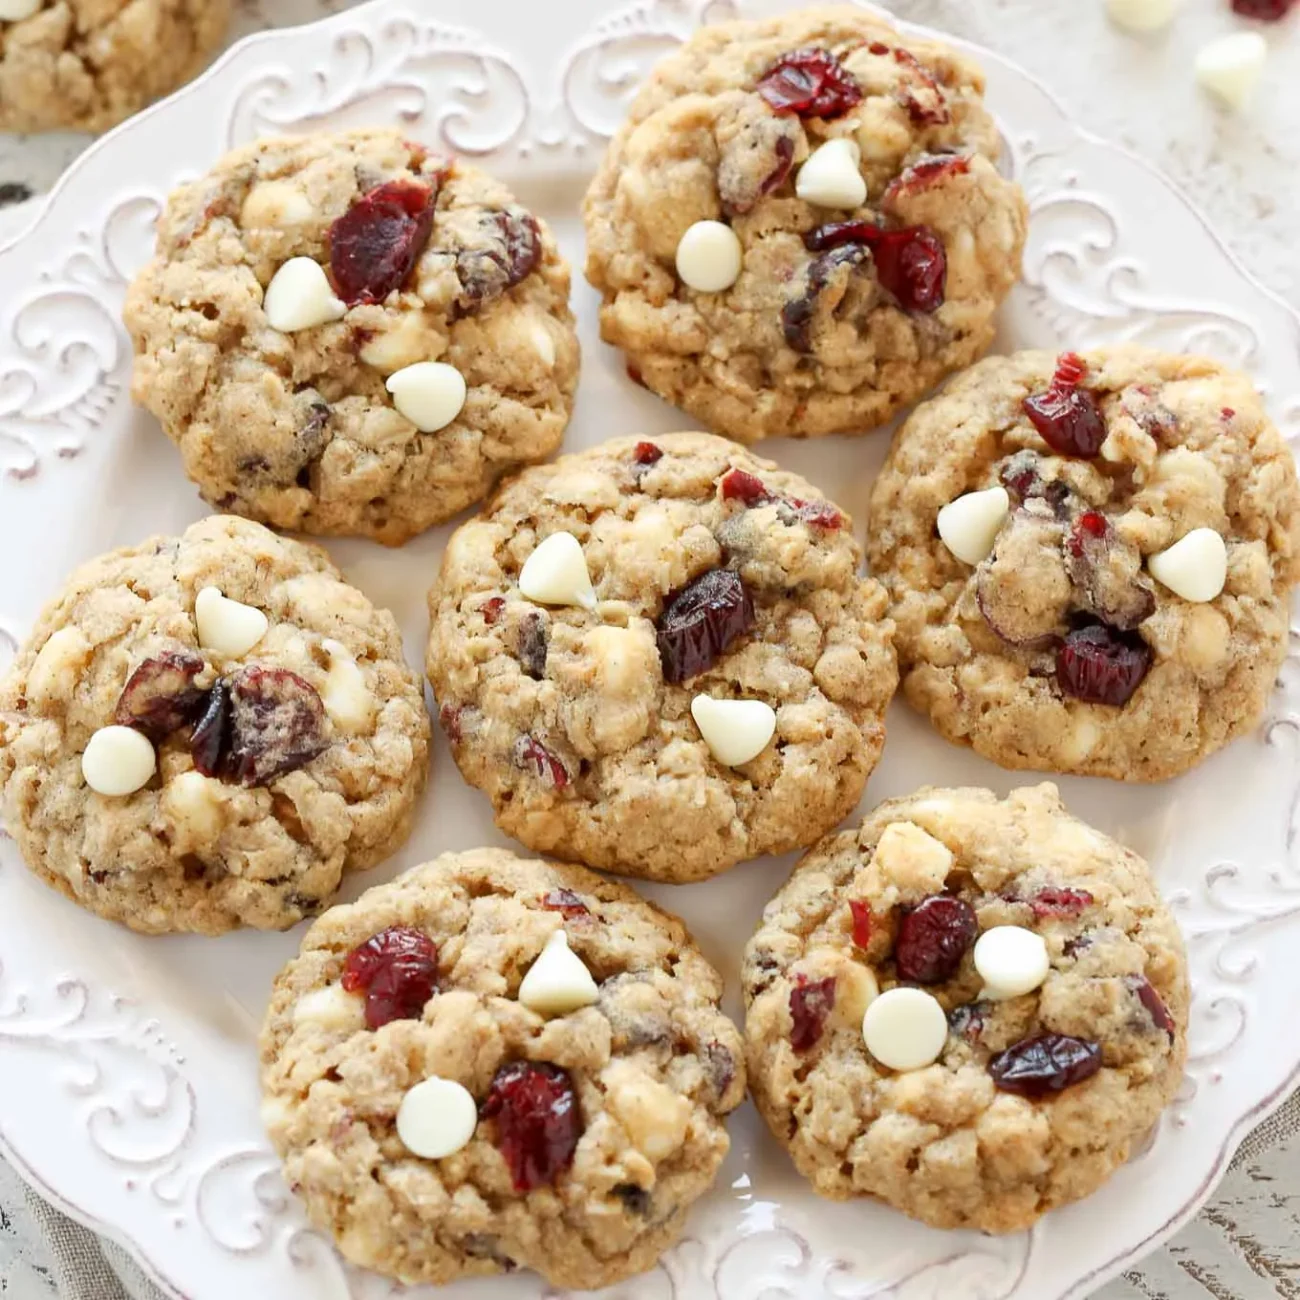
{"points": [[1090, 560]]}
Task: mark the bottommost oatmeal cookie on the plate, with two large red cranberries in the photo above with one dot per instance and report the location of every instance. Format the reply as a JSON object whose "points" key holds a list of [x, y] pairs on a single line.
{"points": [[499, 1064]]}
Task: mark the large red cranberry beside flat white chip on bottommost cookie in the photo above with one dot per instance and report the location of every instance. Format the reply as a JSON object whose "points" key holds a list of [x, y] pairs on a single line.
{"points": [[539, 1124]]}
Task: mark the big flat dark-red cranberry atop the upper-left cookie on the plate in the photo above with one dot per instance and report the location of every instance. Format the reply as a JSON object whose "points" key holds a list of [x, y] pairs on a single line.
{"points": [[375, 245]]}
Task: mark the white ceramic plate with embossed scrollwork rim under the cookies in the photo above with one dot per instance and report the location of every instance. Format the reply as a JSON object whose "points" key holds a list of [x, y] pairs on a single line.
{"points": [[128, 1084]]}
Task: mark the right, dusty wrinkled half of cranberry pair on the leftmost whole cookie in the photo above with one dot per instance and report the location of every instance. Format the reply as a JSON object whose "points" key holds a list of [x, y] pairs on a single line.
{"points": [[278, 725]]}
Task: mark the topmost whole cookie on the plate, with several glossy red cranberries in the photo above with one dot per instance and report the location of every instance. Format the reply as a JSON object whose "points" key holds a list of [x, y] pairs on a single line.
{"points": [[801, 226]]}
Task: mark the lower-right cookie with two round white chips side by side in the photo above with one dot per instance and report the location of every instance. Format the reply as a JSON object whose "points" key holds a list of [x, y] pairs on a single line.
{"points": [[970, 1009]]}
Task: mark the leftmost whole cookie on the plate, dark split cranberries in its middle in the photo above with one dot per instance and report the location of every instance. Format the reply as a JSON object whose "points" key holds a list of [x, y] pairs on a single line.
{"points": [[207, 731]]}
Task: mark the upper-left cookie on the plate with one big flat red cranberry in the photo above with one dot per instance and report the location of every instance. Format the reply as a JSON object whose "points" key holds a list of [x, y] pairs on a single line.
{"points": [[350, 335]]}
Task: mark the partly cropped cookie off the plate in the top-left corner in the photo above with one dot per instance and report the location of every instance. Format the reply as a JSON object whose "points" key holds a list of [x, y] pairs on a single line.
{"points": [[85, 66]]}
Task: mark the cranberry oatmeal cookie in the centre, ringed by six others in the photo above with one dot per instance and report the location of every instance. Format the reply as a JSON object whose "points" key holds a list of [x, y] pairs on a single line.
{"points": [[658, 657]]}
